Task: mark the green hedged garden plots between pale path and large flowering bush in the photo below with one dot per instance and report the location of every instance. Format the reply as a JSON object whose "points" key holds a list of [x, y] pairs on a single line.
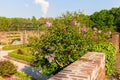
{"points": [[21, 52]]}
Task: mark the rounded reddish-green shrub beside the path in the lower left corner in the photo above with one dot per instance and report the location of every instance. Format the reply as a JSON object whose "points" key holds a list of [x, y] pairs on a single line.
{"points": [[7, 68]]}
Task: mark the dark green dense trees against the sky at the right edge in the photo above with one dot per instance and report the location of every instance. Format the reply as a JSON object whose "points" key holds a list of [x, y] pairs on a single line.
{"points": [[109, 18]]}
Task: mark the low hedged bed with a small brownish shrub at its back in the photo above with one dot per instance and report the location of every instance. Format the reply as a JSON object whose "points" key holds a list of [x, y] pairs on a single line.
{"points": [[24, 56]]}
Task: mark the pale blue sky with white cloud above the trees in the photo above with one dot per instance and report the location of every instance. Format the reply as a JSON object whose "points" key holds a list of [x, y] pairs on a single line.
{"points": [[52, 8]]}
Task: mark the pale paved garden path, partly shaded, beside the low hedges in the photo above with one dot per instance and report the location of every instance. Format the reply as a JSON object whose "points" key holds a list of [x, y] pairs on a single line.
{"points": [[23, 67]]}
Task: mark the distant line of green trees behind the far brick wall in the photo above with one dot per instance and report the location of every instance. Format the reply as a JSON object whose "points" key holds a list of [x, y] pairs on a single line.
{"points": [[17, 24]]}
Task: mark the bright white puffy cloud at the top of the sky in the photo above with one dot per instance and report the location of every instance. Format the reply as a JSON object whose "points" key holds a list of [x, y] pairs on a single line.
{"points": [[44, 5]]}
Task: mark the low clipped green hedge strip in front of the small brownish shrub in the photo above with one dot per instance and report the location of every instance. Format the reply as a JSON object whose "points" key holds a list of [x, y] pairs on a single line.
{"points": [[21, 57]]}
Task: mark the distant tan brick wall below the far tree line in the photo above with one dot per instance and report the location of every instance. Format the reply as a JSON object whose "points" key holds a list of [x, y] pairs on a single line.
{"points": [[6, 37]]}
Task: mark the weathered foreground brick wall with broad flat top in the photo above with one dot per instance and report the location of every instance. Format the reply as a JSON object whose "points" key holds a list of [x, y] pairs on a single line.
{"points": [[89, 67]]}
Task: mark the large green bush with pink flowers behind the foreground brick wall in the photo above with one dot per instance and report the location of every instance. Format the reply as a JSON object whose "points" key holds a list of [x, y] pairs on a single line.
{"points": [[62, 45]]}
